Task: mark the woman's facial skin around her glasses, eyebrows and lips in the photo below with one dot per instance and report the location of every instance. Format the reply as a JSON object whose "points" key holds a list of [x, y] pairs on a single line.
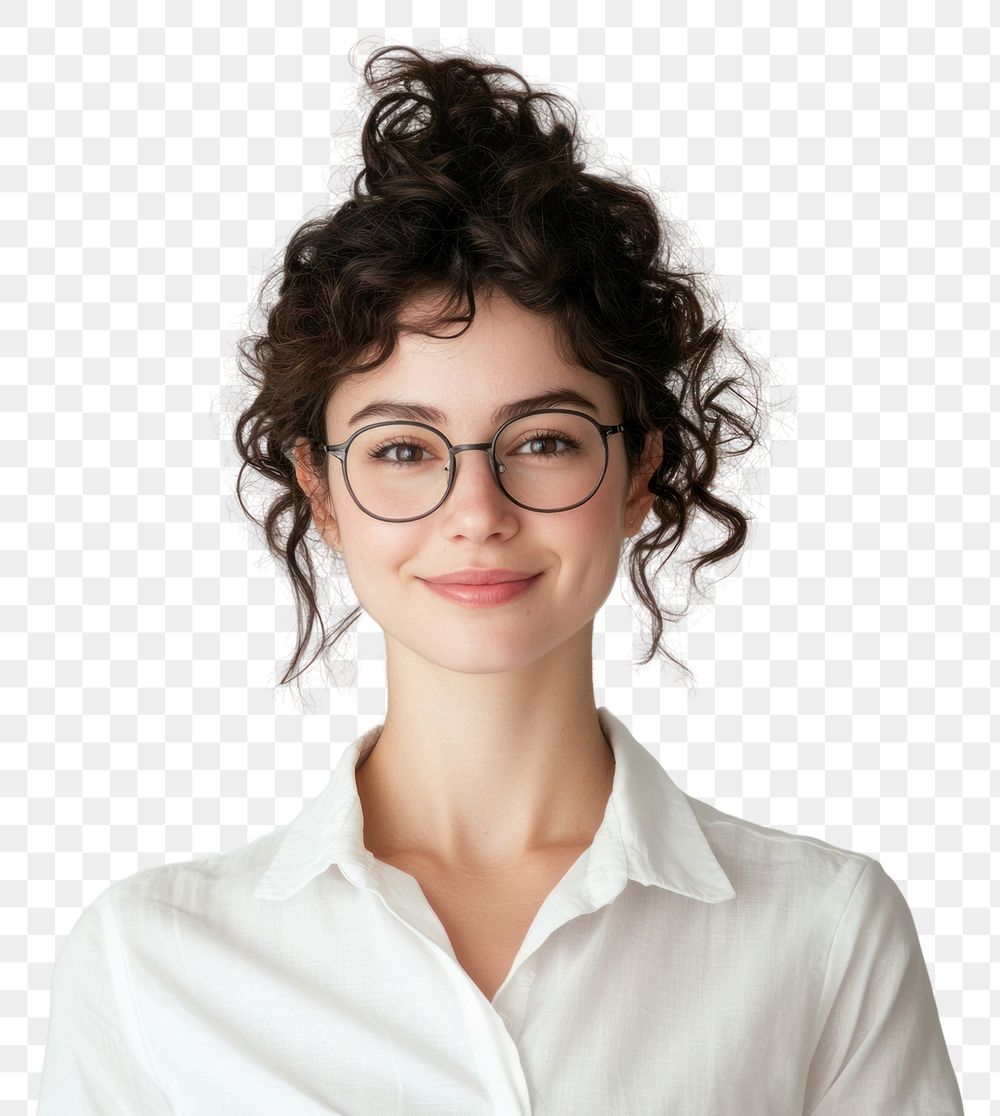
{"points": [[507, 354]]}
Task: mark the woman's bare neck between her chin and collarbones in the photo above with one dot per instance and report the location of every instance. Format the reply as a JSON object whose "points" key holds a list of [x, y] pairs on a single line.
{"points": [[480, 772]]}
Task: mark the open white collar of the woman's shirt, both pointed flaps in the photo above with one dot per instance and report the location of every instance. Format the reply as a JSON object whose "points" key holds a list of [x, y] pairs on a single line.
{"points": [[650, 832]]}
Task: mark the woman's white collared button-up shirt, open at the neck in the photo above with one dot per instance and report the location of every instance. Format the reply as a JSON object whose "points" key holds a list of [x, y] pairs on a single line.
{"points": [[689, 963]]}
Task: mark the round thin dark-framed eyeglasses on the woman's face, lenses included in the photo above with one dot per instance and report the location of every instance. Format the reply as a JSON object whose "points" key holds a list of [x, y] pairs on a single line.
{"points": [[399, 489]]}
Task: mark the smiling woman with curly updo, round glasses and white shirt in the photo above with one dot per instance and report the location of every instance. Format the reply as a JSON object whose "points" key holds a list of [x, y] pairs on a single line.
{"points": [[480, 382]]}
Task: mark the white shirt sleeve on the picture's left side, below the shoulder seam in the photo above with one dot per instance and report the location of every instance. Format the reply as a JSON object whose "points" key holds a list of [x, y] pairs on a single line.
{"points": [[95, 1061]]}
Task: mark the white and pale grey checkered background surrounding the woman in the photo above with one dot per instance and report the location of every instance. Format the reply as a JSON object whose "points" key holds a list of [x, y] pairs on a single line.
{"points": [[832, 165]]}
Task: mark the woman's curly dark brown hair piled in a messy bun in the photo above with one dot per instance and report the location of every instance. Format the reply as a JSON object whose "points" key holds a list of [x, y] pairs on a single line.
{"points": [[467, 190]]}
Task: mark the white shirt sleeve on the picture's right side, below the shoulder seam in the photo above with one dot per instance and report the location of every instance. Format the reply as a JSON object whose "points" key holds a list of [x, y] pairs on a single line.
{"points": [[881, 1046]]}
